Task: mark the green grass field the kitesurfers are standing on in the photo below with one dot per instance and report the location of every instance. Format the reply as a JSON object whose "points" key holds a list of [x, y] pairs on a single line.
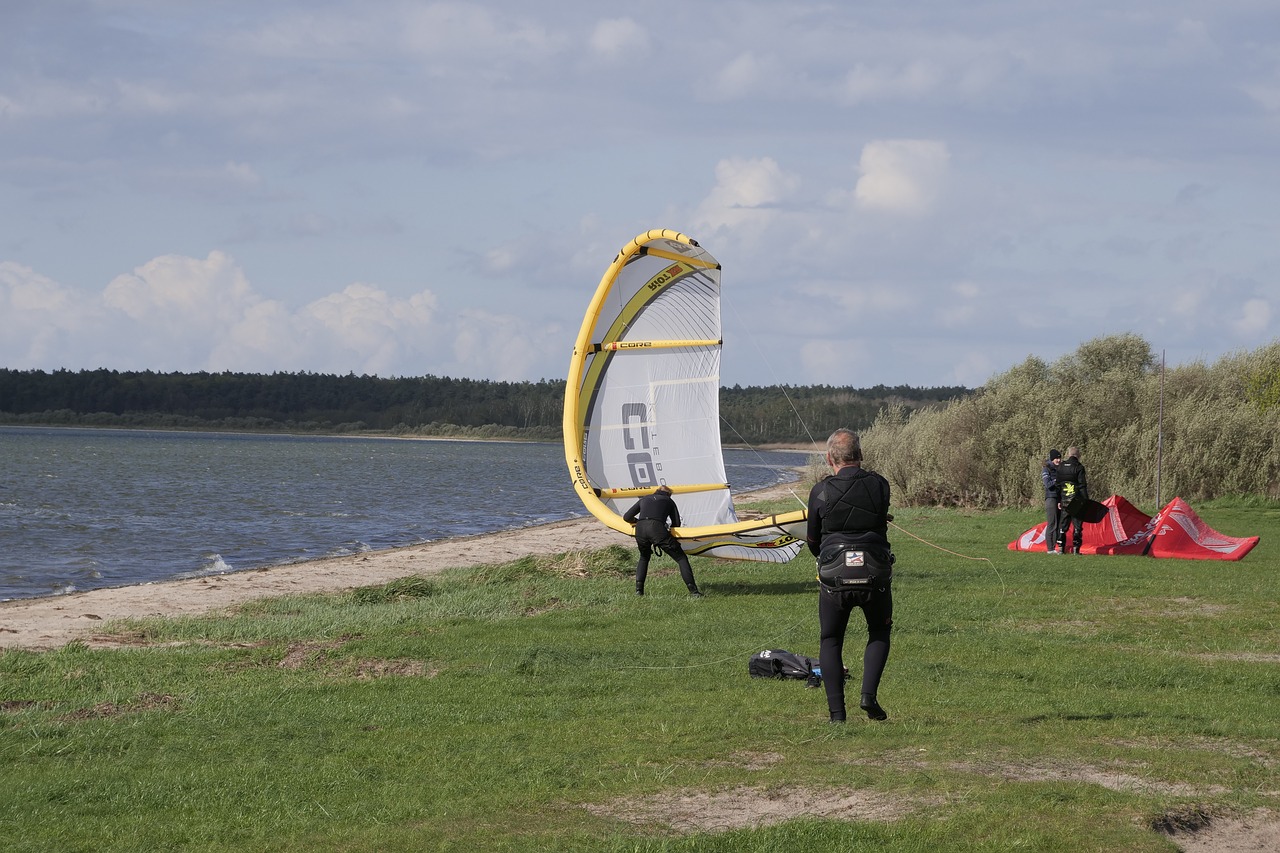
{"points": [[1041, 704]]}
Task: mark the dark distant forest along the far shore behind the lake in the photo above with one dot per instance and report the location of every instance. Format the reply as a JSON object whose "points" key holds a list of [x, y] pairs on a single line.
{"points": [[312, 403]]}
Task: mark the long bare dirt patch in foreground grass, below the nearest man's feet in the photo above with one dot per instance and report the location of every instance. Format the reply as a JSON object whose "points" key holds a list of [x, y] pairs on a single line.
{"points": [[752, 808]]}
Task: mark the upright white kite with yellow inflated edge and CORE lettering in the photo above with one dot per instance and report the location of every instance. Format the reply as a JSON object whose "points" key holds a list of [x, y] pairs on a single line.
{"points": [[642, 405]]}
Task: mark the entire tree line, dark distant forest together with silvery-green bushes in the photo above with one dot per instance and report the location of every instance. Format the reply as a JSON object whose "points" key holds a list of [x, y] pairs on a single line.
{"points": [[1196, 431]]}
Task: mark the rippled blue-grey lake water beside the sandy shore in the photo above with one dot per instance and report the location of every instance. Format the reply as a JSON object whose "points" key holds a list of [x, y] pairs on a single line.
{"points": [[85, 509]]}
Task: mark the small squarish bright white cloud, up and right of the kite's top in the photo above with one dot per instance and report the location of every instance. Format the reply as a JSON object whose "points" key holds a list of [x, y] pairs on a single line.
{"points": [[902, 176]]}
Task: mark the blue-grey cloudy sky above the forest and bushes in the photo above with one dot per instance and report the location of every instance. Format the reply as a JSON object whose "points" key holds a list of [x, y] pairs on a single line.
{"points": [[922, 194]]}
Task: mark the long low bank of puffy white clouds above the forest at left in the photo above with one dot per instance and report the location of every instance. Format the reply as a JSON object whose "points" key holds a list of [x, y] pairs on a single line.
{"points": [[177, 313]]}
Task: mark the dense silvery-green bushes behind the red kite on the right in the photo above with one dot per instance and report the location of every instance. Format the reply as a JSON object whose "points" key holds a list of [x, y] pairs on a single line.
{"points": [[1197, 432]]}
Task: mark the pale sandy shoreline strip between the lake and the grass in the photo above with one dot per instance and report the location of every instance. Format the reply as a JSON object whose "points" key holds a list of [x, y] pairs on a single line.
{"points": [[53, 622]]}
